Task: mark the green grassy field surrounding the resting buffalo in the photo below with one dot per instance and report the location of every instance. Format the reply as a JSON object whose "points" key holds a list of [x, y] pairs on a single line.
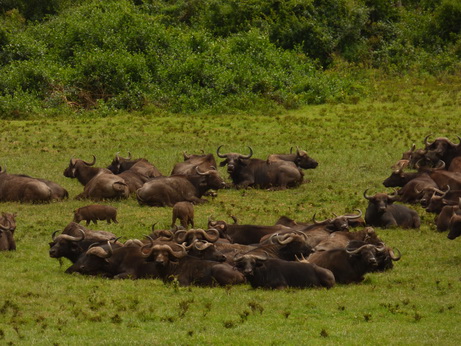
{"points": [[355, 144]]}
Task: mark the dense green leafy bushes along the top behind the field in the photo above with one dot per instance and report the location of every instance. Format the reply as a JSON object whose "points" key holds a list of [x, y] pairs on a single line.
{"points": [[61, 57]]}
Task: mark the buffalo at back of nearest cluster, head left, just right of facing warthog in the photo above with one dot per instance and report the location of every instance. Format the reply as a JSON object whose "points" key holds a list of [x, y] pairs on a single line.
{"points": [[245, 234]]}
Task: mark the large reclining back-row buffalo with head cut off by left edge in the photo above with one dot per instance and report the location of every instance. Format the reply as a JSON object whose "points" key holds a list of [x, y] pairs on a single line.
{"points": [[22, 188]]}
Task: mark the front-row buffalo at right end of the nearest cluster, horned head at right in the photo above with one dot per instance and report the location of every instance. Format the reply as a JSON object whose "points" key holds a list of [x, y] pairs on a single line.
{"points": [[351, 264]]}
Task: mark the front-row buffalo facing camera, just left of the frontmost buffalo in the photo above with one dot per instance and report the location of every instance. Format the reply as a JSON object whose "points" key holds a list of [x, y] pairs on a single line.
{"points": [[188, 270]]}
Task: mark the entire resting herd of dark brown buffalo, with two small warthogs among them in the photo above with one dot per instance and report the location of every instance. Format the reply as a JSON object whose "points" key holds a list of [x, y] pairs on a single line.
{"points": [[290, 253]]}
